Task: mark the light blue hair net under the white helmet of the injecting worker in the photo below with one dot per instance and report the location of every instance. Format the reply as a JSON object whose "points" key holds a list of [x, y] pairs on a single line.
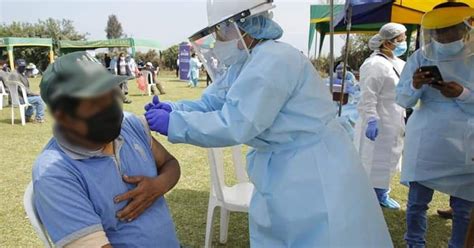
{"points": [[261, 27]]}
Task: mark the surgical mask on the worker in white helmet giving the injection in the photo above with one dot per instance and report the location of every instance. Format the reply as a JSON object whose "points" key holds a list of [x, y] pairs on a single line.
{"points": [[229, 53]]}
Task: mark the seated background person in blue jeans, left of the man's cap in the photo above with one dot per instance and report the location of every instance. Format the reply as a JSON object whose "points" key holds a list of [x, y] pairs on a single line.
{"points": [[37, 105]]}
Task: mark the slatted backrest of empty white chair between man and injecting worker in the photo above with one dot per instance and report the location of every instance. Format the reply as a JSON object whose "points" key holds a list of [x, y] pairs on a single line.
{"points": [[216, 165]]}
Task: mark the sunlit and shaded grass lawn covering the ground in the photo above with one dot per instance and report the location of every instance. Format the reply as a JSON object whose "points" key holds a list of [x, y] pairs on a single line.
{"points": [[19, 146]]}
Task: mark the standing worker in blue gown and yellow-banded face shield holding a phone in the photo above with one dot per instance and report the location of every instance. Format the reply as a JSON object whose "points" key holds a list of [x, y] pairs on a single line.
{"points": [[439, 143]]}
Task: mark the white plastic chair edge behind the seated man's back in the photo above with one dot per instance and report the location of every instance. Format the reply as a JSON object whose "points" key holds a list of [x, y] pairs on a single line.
{"points": [[30, 210]]}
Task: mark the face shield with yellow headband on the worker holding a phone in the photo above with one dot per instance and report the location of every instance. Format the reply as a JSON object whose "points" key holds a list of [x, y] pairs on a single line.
{"points": [[448, 36]]}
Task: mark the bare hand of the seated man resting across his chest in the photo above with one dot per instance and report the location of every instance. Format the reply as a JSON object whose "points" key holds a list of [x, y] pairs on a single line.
{"points": [[148, 190]]}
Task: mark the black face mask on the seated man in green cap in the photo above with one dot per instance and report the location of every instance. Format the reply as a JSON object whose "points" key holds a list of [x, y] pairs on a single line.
{"points": [[105, 126]]}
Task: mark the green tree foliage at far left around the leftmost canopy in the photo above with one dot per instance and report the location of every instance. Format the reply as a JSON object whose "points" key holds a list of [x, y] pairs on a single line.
{"points": [[50, 28]]}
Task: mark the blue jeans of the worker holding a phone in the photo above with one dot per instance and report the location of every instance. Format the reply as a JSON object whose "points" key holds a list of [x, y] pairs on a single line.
{"points": [[419, 197]]}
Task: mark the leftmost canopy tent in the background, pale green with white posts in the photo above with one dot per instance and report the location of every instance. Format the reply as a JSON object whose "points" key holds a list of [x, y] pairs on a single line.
{"points": [[9, 43]]}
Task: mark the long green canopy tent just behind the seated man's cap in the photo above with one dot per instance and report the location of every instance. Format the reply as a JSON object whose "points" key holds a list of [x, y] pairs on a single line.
{"points": [[67, 46]]}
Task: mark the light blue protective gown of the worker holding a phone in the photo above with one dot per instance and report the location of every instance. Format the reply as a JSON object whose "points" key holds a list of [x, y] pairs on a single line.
{"points": [[439, 143]]}
